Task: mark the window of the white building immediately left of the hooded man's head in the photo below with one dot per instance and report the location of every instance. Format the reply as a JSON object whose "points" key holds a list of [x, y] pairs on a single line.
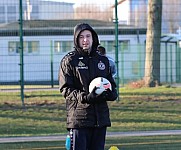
{"points": [[63, 46]]}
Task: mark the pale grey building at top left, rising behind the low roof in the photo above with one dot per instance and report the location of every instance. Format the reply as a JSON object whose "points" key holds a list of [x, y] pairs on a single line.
{"points": [[35, 10]]}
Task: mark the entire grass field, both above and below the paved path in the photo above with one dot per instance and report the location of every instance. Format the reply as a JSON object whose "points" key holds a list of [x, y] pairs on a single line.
{"points": [[138, 110]]}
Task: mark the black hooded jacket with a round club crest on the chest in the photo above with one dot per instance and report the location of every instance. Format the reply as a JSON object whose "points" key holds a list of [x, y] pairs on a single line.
{"points": [[77, 70]]}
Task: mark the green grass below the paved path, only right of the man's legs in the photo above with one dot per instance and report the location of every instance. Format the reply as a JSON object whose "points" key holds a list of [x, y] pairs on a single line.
{"points": [[148, 142]]}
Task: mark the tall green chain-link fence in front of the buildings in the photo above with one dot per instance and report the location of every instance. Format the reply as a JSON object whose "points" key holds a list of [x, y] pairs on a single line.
{"points": [[48, 36]]}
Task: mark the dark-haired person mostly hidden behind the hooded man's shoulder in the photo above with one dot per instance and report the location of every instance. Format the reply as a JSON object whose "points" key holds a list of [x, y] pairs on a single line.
{"points": [[112, 65]]}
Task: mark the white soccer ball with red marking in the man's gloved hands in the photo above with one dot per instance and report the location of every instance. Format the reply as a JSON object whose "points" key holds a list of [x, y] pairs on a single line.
{"points": [[101, 83]]}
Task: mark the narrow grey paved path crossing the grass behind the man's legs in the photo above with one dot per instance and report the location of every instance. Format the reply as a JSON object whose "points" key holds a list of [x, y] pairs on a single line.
{"points": [[109, 134]]}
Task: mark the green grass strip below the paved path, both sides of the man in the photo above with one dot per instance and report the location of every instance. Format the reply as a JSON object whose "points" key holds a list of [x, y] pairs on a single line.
{"points": [[124, 143]]}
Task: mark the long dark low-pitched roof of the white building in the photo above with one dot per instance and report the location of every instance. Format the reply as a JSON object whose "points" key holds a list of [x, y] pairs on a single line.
{"points": [[63, 27]]}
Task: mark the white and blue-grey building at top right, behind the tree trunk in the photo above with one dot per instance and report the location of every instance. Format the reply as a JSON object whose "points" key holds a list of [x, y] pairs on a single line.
{"points": [[134, 12]]}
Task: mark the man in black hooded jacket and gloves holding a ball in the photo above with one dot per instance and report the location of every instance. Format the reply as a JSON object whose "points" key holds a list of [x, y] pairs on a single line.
{"points": [[87, 113]]}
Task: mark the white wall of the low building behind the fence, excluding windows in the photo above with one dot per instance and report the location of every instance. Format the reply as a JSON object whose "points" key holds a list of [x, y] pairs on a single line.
{"points": [[37, 67]]}
